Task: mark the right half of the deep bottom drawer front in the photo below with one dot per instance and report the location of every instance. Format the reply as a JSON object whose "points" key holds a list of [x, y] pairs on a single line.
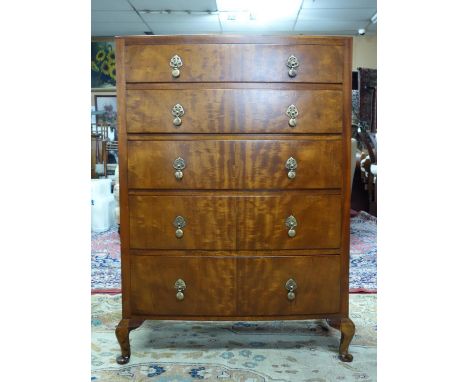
{"points": [[262, 285]]}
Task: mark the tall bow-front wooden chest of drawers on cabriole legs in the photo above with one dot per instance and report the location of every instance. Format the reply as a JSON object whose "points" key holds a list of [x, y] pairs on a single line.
{"points": [[234, 180]]}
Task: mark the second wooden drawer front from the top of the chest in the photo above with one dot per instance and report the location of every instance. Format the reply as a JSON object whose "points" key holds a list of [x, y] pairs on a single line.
{"points": [[234, 111]]}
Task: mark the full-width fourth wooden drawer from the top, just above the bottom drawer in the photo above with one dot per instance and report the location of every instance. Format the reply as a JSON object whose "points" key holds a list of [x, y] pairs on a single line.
{"points": [[234, 221]]}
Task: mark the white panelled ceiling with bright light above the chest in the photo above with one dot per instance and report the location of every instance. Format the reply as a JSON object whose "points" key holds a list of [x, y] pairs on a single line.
{"points": [[322, 17]]}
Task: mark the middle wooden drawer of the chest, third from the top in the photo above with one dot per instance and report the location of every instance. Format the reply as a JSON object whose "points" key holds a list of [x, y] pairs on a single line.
{"points": [[235, 164]]}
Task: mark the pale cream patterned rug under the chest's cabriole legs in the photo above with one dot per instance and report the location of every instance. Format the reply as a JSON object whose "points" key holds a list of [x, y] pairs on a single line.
{"points": [[280, 351]]}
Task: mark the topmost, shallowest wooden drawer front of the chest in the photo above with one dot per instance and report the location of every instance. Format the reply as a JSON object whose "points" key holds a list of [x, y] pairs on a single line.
{"points": [[234, 62]]}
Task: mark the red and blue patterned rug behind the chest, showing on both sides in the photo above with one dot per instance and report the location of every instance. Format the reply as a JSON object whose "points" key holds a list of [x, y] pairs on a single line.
{"points": [[105, 257]]}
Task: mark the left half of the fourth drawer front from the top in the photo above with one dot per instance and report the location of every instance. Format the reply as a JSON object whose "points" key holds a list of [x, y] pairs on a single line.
{"points": [[209, 222]]}
